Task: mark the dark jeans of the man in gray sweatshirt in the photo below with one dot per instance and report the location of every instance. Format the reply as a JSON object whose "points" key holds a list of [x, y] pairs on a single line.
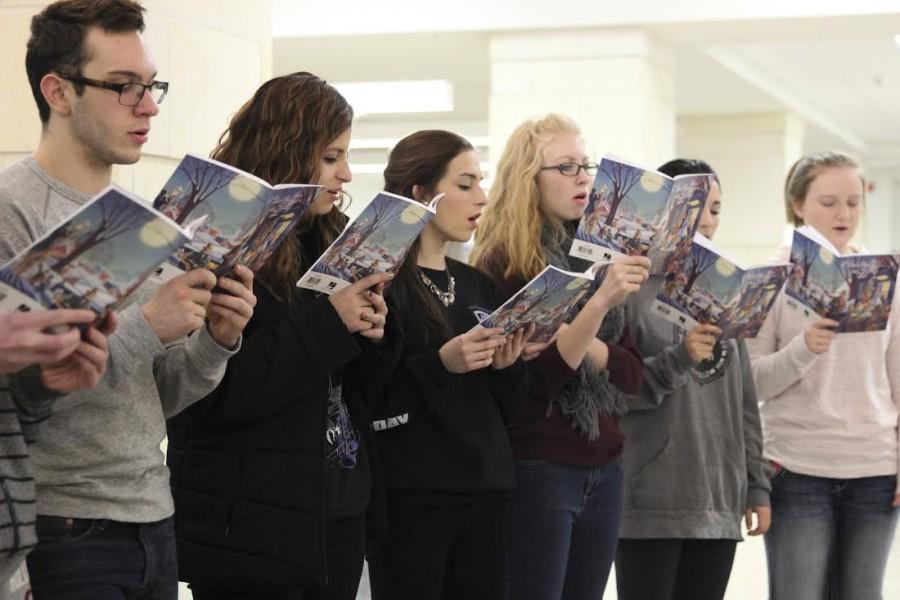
{"points": [[97, 559]]}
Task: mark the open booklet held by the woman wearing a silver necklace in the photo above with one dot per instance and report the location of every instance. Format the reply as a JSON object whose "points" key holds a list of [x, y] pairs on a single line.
{"points": [[547, 301]]}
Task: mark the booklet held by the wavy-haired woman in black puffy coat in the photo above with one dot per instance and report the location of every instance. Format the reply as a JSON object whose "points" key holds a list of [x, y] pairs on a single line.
{"points": [[375, 242]]}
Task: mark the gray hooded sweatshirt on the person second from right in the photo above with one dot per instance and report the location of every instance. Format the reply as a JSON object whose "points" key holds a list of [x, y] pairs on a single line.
{"points": [[693, 461]]}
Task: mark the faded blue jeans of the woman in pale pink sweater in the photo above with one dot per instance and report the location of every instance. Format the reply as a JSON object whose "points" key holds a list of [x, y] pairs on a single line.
{"points": [[830, 538]]}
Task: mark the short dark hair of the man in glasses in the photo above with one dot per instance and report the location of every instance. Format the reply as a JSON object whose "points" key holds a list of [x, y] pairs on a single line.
{"points": [[57, 38]]}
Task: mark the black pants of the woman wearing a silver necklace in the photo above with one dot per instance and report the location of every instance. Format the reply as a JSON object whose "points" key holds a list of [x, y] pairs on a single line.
{"points": [[442, 552]]}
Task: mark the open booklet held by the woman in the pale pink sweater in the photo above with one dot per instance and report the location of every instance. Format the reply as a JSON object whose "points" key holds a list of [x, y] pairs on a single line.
{"points": [[856, 290]]}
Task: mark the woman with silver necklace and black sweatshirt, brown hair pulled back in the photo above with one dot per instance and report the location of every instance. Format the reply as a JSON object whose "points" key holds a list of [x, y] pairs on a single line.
{"points": [[440, 420]]}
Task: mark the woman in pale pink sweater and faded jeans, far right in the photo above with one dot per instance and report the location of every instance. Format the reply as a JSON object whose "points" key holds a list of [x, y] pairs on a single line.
{"points": [[830, 407]]}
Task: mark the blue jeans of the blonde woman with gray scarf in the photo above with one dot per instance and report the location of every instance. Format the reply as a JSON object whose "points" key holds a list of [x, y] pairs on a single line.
{"points": [[564, 528]]}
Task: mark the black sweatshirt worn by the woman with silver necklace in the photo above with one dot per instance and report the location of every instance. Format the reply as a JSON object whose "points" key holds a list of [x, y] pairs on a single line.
{"points": [[442, 436]]}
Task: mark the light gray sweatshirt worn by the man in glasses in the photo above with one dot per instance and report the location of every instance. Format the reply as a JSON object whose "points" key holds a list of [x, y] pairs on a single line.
{"points": [[98, 455]]}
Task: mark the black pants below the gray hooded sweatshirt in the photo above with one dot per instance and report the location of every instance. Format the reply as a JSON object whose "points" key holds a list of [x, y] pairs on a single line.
{"points": [[673, 569]]}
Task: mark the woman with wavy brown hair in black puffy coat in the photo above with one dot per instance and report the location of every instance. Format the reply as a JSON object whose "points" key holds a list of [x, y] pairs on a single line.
{"points": [[272, 472]]}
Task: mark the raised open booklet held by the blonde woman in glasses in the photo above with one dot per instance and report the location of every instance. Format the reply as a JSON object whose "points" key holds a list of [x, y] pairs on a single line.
{"points": [[636, 211]]}
